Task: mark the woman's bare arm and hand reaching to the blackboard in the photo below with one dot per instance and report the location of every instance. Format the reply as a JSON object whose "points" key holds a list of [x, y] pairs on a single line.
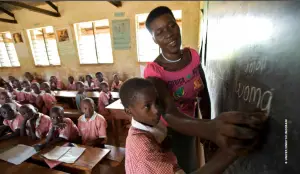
{"points": [[223, 130]]}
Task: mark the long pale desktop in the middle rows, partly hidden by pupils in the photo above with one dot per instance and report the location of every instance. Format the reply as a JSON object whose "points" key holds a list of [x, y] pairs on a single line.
{"points": [[72, 94]]}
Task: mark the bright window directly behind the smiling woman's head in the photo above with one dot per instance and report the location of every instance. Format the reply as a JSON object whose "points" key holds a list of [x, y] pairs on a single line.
{"points": [[146, 48]]}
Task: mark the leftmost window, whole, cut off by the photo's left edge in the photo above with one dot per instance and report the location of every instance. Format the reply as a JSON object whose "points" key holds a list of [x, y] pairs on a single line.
{"points": [[8, 54]]}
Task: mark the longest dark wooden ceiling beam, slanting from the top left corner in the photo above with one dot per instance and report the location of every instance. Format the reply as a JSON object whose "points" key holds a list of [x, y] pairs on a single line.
{"points": [[32, 8]]}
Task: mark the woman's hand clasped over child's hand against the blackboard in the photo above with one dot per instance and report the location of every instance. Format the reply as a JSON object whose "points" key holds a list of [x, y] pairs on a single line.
{"points": [[238, 131]]}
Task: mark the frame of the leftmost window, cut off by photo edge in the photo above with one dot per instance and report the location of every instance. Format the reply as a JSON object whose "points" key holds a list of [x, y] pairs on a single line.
{"points": [[7, 51]]}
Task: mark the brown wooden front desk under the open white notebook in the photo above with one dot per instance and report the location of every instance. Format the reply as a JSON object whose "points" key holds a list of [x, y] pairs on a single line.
{"points": [[84, 164]]}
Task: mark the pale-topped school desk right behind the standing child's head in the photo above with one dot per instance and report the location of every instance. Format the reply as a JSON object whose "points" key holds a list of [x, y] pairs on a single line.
{"points": [[119, 115]]}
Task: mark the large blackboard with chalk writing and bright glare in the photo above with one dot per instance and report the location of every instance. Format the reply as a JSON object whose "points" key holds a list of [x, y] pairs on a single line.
{"points": [[253, 61]]}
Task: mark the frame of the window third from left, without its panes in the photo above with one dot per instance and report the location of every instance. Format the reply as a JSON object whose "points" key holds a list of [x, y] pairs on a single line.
{"points": [[98, 57]]}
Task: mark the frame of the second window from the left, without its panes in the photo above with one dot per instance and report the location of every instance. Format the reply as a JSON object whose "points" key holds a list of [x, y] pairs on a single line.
{"points": [[44, 41]]}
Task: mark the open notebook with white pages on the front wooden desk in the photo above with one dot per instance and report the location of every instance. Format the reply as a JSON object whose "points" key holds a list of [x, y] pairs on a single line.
{"points": [[64, 154]]}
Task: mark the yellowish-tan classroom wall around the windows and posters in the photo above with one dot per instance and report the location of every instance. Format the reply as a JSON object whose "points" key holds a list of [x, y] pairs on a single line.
{"points": [[125, 61]]}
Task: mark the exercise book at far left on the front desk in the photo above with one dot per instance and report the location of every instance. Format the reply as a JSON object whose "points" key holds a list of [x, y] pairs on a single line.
{"points": [[18, 154]]}
